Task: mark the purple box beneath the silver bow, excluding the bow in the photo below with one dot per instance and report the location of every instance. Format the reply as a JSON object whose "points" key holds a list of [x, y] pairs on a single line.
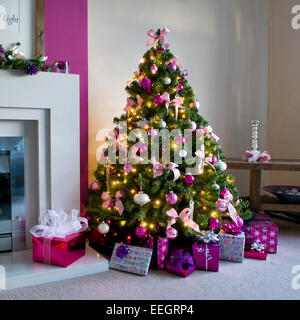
{"points": [[206, 256]]}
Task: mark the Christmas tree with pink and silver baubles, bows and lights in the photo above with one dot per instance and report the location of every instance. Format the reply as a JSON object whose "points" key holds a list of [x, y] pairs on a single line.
{"points": [[163, 172]]}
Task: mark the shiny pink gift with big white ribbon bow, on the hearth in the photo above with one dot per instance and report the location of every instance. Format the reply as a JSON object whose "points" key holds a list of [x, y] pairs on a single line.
{"points": [[59, 239]]}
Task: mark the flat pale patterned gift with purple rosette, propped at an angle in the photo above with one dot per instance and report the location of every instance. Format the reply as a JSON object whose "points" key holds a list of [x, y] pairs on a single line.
{"points": [[131, 259]]}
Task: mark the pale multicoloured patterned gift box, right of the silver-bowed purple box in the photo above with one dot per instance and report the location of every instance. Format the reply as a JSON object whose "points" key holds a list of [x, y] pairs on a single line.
{"points": [[232, 247]]}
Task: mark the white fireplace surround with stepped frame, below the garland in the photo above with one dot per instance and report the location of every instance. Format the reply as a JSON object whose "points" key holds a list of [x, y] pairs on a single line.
{"points": [[46, 106]]}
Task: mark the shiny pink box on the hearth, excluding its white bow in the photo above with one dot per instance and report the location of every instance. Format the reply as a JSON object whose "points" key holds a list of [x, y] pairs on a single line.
{"points": [[59, 251]]}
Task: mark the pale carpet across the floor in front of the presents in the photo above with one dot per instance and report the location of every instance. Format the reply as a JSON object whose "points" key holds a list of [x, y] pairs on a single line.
{"points": [[253, 279]]}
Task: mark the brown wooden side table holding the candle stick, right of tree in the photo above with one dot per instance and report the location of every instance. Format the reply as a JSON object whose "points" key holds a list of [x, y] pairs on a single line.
{"points": [[258, 203]]}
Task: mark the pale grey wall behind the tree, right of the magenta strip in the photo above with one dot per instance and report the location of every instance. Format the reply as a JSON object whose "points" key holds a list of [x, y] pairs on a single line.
{"points": [[222, 43]]}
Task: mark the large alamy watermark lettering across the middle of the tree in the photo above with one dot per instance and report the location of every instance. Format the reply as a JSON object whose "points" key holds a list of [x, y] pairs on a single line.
{"points": [[149, 145]]}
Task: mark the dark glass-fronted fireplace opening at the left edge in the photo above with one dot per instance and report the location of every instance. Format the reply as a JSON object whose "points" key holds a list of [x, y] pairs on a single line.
{"points": [[12, 205]]}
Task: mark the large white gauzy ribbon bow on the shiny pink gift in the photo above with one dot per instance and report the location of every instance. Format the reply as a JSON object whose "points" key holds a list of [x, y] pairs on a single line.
{"points": [[59, 224]]}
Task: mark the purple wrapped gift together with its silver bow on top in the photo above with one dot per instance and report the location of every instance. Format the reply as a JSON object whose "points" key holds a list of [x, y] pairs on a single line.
{"points": [[206, 253]]}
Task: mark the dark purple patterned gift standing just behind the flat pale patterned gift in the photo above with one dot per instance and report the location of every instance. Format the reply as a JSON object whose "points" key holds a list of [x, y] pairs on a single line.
{"points": [[160, 254]]}
